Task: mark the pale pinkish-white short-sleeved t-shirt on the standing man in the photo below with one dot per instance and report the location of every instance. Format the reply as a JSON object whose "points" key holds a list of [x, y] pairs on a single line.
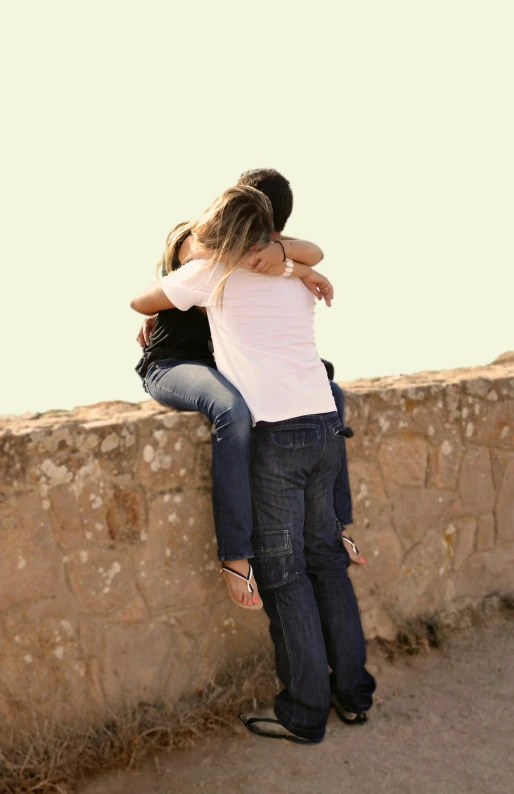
{"points": [[263, 338]]}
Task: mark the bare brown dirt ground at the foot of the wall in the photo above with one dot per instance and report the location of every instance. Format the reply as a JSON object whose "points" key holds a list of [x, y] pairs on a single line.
{"points": [[443, 724]]}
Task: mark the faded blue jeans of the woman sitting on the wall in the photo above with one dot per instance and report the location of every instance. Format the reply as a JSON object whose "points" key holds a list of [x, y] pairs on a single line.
{"points": [[198, 386]]}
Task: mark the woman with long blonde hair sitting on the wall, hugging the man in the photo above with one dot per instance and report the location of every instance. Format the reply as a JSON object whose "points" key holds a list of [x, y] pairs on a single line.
{"points": [[234, 232]]}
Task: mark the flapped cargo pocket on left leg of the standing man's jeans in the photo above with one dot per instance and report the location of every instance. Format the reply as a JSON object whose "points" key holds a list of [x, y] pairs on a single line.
{"points": [[273, 561]]}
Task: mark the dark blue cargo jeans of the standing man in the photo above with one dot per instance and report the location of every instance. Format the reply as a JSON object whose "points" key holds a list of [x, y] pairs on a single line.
{"points": [[300, 565]]}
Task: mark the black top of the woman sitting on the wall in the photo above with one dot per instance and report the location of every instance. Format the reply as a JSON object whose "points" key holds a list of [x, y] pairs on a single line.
{"points": [[177, 334]]}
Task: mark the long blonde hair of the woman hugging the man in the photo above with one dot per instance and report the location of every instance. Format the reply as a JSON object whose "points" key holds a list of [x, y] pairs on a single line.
{"points": [[239, 219]]}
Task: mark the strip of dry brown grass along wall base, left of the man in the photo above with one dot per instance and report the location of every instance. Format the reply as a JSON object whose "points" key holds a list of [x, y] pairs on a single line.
{"points": [[53, 757]]}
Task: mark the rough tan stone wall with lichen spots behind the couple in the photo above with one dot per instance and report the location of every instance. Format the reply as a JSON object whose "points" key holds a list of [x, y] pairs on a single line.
{"points": [[110, 588]]}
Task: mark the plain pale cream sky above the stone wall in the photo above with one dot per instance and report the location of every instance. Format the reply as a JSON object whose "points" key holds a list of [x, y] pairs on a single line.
{"points": [[393, 121]]}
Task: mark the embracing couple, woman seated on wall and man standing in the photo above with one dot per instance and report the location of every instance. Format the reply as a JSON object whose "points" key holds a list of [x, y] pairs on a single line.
{"points": [[280, 483]]}
